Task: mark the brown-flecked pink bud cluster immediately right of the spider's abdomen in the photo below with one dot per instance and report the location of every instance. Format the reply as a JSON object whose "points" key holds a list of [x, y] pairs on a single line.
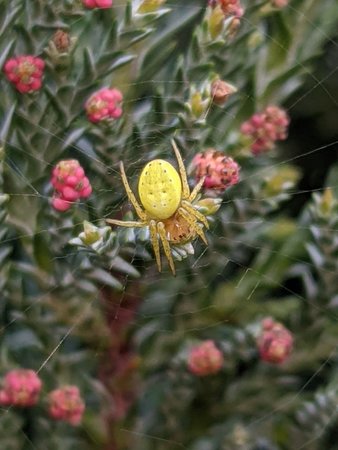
{"points": [[220, 171]]}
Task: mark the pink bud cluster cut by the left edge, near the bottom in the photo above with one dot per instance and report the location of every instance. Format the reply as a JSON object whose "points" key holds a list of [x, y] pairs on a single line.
{"points": [[21, 387]]}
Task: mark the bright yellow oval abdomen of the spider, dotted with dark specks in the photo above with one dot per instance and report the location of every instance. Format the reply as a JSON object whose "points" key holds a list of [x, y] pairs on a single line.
{"points": [[160, 189]]}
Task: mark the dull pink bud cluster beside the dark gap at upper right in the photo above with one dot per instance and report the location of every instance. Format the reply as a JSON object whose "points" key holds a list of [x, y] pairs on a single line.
{"points": [[265, 128]]}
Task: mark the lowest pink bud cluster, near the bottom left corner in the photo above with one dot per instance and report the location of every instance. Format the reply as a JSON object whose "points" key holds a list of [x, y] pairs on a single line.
{"points": [[66, 404]]}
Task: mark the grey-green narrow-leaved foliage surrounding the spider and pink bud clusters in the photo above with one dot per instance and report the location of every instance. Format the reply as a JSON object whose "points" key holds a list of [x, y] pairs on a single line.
{"points": [[100, 316]]}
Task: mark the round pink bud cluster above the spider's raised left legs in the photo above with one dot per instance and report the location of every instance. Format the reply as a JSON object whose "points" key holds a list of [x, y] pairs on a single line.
{"points": [[104, 104]]}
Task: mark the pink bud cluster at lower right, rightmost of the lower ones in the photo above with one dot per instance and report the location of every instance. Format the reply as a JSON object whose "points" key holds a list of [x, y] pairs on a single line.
{"points": [[275, 342]]}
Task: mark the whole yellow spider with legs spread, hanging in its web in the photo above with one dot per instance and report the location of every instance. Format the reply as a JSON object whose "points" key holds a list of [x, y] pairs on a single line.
{"points": [[168, 209]]}
